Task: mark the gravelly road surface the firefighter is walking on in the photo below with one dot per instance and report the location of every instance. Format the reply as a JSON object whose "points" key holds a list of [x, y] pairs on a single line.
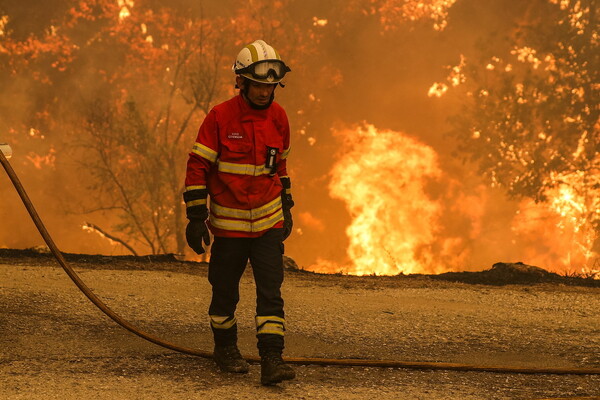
{"points": [[54, 344]]}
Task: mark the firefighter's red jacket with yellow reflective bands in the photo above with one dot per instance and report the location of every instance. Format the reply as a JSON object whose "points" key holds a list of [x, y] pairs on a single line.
{"points": [[229, 159]]}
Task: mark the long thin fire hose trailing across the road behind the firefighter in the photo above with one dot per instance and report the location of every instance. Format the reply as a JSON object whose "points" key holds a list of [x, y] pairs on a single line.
{"points": [[300, 360]]}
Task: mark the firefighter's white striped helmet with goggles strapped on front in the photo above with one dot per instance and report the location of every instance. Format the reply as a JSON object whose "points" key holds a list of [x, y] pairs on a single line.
{"points": [[261, 63]]}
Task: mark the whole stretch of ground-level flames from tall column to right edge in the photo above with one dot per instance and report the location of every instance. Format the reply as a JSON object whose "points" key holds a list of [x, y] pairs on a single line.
{"points": [[397, 227]]}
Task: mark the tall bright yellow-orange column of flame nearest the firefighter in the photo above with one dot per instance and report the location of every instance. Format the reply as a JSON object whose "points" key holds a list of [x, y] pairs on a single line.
{"points": [[382, 178]]}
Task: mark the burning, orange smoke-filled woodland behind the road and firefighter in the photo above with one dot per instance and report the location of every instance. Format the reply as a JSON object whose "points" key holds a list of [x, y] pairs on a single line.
{"points": [[108, 94]]}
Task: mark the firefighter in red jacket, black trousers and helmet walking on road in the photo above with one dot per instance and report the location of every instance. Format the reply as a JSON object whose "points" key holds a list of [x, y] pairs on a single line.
{"points": [[238, 163]]}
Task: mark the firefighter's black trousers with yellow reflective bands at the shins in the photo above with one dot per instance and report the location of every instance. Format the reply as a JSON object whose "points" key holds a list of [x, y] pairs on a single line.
{"points": [[228, 260]]}
